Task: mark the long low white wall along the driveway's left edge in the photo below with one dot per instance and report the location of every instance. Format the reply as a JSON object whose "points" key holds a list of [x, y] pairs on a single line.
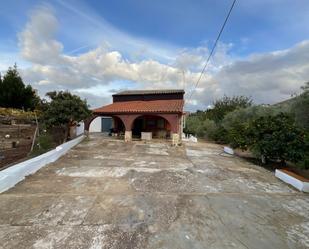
{"points": [[16, 173]]}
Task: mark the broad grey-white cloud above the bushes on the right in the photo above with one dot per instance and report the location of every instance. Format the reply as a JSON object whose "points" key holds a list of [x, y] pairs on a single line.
{"points": [[268, 77]]}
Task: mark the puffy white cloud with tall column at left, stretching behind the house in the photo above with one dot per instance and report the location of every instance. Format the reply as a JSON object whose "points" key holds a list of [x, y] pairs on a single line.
{"points": [[99, 66]]}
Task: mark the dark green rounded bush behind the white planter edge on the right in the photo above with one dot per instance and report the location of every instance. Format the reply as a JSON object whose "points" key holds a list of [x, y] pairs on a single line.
{"points": [[276, 138]]}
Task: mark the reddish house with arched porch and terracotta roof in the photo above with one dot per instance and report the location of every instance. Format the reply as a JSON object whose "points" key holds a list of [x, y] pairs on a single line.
{"points": [[143, 114]]}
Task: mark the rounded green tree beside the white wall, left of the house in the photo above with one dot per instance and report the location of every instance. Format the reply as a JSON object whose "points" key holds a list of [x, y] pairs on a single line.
{"points": [[65, 110]]}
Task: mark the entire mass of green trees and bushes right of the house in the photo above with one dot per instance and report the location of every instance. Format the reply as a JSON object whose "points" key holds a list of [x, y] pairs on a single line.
{"points": [[268, 131]]}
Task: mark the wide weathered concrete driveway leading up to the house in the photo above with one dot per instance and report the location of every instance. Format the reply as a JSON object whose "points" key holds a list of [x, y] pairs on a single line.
{"points": [[109, 194]]}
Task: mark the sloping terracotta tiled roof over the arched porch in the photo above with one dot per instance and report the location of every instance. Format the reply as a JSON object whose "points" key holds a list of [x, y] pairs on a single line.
{"points": [[153, 106]]}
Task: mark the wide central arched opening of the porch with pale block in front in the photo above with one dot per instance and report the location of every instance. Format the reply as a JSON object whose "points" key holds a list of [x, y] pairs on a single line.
{"points": [[157, 125]]}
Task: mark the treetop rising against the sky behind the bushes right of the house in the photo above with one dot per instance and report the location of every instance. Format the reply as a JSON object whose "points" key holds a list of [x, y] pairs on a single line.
{"points": [[225, 105]]}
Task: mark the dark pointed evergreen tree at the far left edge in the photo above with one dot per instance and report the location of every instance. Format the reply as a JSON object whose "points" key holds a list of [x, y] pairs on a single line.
{"points": [[14, 93]]}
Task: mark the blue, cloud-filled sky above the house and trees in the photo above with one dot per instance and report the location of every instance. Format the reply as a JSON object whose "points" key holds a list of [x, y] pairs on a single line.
{"points": [[96, 48]]}
